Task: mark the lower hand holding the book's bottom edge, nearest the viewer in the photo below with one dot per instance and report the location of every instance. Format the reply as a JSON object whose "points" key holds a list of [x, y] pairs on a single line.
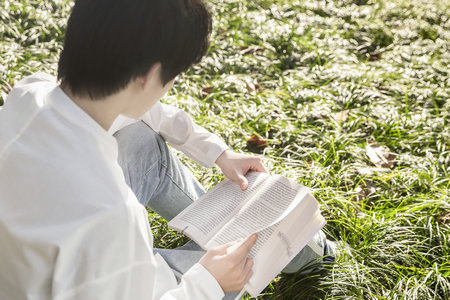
{"points": [[230, 265]]}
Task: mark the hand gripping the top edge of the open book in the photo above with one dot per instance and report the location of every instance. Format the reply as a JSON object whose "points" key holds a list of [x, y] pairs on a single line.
{"points": [[235, 166]]}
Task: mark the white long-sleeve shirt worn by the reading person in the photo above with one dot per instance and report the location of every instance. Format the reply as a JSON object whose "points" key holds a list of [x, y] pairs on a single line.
{"points": [[70, 227]]}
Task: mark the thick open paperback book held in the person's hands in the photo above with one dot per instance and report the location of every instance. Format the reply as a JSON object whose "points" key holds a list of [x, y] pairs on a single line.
{"points": [[282, 212]]}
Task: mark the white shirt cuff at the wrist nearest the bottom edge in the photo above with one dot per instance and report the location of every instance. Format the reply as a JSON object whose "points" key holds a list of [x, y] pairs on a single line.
{"points": [[209, 285]]}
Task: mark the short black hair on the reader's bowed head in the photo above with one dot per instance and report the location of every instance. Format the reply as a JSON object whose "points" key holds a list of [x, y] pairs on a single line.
{"points": [[109, 43]]}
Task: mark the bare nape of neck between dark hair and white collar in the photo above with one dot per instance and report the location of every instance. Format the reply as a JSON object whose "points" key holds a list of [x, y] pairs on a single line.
{"points": [[103, 111]]}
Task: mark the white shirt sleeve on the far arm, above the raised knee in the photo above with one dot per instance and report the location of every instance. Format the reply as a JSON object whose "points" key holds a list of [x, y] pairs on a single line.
{"points": [[180, 131]]}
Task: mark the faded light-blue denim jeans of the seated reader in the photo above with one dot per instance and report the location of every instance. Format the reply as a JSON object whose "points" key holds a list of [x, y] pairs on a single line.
{"points": [[161, 182]]}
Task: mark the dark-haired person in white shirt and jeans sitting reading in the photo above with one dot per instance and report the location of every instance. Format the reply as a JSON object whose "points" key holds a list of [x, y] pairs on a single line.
{"points": [[81, 157]]}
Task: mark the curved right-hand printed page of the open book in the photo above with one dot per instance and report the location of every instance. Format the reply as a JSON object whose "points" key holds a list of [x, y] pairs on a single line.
{"points": [[271, 203]]}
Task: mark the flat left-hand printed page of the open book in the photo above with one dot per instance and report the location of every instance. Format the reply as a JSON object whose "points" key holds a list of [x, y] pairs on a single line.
{"points": [[201, 220]]}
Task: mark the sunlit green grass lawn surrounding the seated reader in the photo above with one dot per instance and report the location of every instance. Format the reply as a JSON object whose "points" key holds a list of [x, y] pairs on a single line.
{"points": [[352, 98]]}
